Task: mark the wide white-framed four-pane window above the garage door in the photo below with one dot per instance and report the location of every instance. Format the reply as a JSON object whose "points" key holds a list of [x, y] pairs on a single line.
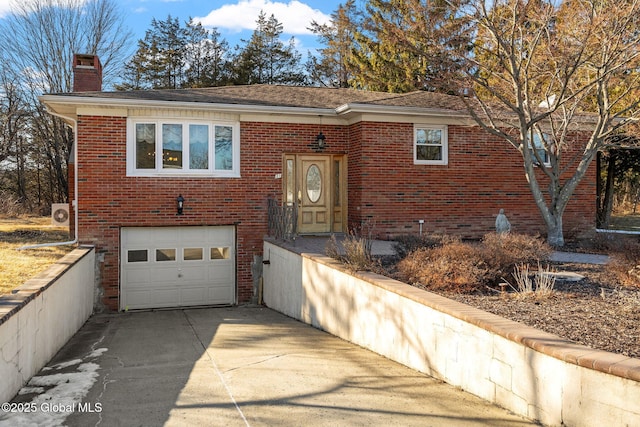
{"points": [[176, 147]]}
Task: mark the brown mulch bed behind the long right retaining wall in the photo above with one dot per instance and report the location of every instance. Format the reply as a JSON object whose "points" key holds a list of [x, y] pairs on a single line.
{"points": [[591, 312]]}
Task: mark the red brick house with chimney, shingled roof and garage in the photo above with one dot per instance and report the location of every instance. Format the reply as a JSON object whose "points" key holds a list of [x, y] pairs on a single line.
{"points": [[346, 156]]}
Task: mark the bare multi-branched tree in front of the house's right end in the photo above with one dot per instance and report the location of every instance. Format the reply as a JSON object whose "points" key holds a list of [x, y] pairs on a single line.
{"points": [[555, 80]]}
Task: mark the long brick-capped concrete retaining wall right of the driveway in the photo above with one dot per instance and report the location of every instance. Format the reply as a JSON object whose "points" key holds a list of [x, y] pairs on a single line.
{"points": [[530, 372]]}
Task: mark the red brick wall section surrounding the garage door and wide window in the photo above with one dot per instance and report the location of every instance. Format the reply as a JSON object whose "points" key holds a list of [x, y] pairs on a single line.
{"points": [[109, 200]]}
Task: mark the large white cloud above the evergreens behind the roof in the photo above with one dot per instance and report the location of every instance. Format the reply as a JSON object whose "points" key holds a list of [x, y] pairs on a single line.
{"points": [[294, 16]]}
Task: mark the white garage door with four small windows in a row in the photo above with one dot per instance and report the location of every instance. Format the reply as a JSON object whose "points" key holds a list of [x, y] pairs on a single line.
{"points": [[177, 266]]}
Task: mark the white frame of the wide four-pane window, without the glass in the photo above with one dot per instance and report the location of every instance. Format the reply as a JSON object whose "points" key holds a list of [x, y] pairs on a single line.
{"points": [[159, 171]]}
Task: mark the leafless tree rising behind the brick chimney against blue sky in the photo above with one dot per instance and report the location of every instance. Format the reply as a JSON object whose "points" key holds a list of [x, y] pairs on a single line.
{"points": [[37, 43]]}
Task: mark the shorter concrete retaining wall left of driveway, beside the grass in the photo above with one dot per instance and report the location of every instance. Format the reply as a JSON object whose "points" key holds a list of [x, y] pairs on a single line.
{"points": [[39, 317]]}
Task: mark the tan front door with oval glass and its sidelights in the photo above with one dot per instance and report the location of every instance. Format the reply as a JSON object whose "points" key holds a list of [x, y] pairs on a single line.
{"points": [[317, 184]]}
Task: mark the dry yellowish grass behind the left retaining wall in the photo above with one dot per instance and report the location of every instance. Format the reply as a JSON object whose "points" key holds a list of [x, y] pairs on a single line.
{"points": [[16, 267]]}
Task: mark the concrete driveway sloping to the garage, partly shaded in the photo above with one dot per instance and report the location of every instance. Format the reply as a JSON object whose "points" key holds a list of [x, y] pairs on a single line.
{"points": [[241, 366]]}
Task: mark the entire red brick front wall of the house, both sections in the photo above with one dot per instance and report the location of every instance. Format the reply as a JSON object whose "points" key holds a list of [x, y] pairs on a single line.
{"points": [[483, 175]]}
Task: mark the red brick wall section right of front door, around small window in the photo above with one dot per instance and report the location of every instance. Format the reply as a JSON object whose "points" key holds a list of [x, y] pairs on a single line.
{"points": [[483, 175]]}
